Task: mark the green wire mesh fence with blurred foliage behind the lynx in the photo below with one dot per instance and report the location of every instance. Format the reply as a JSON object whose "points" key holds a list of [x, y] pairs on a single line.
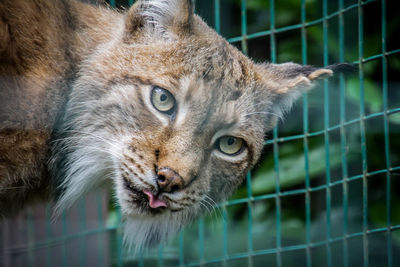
{"points": [[335, 203]]}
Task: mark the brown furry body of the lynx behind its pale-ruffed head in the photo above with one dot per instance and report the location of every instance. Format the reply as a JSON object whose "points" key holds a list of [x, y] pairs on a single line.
{"points": [[40, 45]]}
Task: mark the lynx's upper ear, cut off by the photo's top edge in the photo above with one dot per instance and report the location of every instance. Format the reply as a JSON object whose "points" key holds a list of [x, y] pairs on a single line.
{"points": [[159, 18]]}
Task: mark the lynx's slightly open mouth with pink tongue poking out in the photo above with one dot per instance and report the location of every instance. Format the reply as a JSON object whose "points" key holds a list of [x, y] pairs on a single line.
{"points": [[145, 199]]}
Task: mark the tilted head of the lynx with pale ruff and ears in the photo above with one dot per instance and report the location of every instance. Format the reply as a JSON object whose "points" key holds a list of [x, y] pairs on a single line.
{"points": [[173, 115]]}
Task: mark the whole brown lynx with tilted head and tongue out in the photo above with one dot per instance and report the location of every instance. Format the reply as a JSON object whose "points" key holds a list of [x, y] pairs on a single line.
{"points": [[150, 101]]}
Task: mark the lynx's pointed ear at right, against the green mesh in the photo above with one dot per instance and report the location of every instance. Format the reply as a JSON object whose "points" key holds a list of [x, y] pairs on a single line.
{"points": [[286, 82]]}
